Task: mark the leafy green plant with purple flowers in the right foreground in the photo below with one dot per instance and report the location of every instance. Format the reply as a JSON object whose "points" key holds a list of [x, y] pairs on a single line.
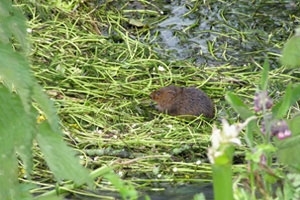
{"points": [[280, 139]]}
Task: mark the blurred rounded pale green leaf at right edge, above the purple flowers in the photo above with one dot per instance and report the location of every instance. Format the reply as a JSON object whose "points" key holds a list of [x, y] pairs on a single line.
{"points": [[291, 51]]}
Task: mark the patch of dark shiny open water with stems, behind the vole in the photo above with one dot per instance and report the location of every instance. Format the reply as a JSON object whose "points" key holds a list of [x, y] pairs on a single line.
{"points": [[219, 32]]}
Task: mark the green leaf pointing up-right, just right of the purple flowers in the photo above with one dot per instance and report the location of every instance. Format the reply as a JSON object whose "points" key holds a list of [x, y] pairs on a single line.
{"points": [[291, 96]]}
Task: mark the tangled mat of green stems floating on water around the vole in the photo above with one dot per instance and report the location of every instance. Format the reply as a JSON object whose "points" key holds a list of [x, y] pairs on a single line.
{"points": [[100, 60]]}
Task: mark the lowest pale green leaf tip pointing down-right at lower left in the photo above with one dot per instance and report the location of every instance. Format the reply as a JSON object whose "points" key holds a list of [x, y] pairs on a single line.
{"points": [[59, 157]]}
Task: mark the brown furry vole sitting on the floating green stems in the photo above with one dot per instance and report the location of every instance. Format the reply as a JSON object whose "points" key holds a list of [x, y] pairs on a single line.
{"points": [[175, 100]]}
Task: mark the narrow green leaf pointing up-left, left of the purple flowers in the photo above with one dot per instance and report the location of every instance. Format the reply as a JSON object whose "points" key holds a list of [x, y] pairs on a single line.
{"points": [[238, 105]]}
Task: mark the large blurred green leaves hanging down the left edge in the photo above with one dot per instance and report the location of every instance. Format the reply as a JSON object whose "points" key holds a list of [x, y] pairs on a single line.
{"points": [[22, 100]]}
